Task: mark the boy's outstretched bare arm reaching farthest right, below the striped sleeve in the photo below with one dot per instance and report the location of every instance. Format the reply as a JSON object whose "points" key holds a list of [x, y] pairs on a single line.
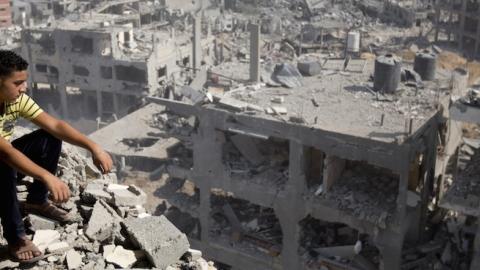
{"points": [[65, 132]]}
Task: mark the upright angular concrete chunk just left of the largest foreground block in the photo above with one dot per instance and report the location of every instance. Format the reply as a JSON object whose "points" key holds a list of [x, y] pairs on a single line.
{"points": [[103, 222]]}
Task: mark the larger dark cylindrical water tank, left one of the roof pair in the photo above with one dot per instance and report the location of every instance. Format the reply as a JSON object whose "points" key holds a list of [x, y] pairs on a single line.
{"points": [[387, 73]]}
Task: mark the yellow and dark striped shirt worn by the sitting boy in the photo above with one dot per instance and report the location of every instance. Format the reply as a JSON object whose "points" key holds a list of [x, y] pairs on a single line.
{"points": [[24, 106]]}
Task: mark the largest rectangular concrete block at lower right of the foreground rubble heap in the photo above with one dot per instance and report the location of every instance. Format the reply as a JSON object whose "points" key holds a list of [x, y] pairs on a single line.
{"points": [[162, 242]]}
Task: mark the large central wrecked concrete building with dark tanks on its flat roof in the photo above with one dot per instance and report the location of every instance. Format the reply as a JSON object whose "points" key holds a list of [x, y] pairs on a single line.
{"points": [[304, 172]]}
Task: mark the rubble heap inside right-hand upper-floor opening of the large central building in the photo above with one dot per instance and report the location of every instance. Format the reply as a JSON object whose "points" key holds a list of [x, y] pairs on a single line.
{"points": [[368, 196]]}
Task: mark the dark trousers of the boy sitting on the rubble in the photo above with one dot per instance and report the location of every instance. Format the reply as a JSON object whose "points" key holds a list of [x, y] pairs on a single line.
{"points": [[44, 150]]}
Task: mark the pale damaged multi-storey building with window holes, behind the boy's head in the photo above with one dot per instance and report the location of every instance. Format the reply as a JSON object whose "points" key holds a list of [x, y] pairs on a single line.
{"points": [[91, 68]]}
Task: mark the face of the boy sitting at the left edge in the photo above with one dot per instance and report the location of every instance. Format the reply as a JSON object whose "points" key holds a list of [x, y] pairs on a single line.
{"points": [[13, 85]]}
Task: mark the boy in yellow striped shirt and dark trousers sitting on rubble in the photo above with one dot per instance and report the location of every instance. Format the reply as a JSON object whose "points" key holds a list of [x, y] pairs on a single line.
{"points": [[35, 154]]}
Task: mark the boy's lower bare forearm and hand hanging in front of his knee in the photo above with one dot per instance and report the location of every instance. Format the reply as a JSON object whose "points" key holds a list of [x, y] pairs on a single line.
{"points": [[19, 161]]}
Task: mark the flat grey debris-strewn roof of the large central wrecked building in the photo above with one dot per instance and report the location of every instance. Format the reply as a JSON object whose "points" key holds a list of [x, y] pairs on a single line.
{"points": [[342, 101]]}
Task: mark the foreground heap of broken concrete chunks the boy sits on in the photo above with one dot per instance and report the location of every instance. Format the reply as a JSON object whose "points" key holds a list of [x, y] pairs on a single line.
{"points": [[111, 228]]}
